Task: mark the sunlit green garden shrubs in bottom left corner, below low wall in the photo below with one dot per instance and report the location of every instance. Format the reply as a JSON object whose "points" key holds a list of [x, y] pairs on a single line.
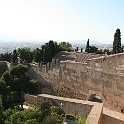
{"points": [[31, 116]]}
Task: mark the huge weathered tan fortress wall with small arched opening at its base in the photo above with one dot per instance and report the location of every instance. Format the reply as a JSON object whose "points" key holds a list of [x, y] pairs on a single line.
{"points": [[102, 76]]}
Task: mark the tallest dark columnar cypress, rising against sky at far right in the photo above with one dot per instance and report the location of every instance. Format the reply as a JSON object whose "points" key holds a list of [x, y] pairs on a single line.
{"points": [[117, 42]]}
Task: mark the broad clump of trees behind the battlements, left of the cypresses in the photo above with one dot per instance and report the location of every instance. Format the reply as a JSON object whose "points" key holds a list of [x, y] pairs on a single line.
{"points": [[43, 54]]}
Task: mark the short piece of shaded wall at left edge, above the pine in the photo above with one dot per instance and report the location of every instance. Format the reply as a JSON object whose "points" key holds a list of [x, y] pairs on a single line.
{"points": [[4, 65]]}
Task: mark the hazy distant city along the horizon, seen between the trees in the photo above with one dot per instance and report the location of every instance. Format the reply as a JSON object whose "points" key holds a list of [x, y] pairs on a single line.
{"points": [[10, 46]]}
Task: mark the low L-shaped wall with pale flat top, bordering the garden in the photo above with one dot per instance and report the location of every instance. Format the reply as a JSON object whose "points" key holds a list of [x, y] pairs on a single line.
{"points": [[90, 110]]}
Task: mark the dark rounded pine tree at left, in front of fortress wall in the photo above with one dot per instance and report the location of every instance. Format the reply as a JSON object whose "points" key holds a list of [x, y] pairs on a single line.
{"points": [[14, 83]]}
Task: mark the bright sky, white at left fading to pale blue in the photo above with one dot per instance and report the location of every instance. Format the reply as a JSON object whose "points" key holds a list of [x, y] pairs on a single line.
{"points": [[61, 20]]}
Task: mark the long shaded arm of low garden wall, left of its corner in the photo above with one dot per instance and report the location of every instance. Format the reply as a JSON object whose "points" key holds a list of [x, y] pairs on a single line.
{"points": [[70, 106]]}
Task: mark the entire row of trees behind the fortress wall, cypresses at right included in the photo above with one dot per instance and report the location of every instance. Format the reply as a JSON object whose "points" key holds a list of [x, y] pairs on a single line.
{"points": [[46, 52]]}
